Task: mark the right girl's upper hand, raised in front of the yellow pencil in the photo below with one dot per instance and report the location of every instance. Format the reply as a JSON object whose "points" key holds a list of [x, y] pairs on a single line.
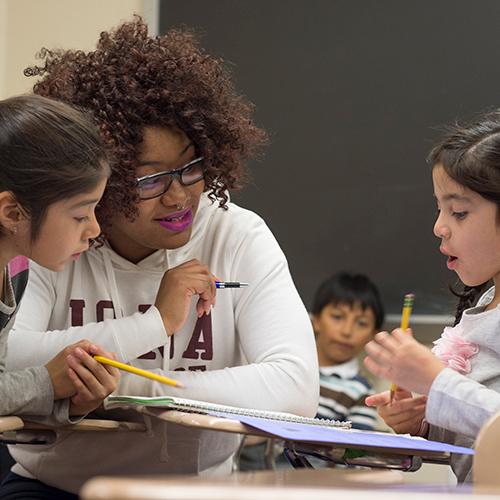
{"points": [[402, 360]]}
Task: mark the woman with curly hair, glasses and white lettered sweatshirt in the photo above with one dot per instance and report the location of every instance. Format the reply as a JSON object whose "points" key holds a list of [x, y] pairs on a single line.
{"points": [[178, 136]]}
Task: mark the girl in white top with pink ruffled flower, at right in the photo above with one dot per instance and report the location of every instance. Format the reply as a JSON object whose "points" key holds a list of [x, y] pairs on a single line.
{"points": [[462, 377]]}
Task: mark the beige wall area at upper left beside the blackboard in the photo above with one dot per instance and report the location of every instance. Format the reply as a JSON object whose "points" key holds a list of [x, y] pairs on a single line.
{"points": [[28, 25]]}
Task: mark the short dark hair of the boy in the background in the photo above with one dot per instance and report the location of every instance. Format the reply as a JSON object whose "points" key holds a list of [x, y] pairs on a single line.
{"points": [[349, 289]]}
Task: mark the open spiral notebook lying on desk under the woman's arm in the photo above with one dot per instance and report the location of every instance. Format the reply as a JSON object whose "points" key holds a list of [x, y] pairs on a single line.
{"points": [[183, 404]]}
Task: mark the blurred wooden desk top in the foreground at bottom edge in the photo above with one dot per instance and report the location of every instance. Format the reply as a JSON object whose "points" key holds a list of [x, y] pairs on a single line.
{"points": [[324, 484]]}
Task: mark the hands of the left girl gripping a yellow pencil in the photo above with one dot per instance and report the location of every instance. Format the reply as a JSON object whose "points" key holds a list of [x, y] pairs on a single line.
{"points": [[93, 381]]}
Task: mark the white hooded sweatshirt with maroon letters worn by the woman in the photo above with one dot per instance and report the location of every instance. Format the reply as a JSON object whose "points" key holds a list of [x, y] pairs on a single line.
{"points": [[255, 350]]}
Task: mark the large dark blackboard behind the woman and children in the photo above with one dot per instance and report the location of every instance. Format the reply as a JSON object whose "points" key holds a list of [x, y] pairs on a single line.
{"points": [[353, 93]]}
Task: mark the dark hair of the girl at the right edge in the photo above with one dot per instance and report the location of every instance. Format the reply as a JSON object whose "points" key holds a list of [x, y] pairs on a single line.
{"points": [[470, 155]]}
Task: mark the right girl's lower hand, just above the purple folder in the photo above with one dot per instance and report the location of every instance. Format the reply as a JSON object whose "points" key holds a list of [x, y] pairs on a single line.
{"points": [[404, 415]]}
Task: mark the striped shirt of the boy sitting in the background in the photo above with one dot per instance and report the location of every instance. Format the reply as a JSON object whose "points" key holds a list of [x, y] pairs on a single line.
{"points": [[342, 395]]}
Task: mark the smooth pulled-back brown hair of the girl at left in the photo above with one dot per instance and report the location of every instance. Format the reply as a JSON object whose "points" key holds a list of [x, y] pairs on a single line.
{"points": [[49, 151]]}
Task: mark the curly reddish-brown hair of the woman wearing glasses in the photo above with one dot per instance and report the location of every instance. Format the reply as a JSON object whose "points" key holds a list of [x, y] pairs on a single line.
{"points": [[133, 80]]}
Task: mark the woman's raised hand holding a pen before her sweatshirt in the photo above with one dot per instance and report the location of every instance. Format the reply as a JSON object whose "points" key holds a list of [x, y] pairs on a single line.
{"points": [[177, 287]]}
